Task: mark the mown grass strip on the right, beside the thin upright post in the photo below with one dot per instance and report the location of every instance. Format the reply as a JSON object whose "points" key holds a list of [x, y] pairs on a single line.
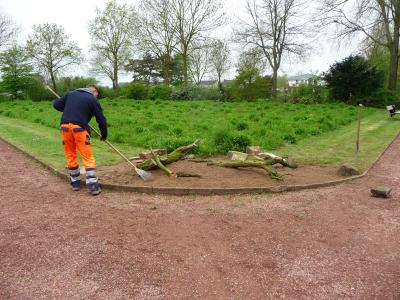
{"points": [[333, 148]]}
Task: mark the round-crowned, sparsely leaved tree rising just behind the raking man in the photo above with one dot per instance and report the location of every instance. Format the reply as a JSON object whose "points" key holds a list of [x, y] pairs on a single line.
{"points": [[51, 50]]}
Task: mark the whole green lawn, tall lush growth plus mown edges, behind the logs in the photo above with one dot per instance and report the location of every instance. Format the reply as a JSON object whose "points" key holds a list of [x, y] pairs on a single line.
{"points": [[321, 134]]}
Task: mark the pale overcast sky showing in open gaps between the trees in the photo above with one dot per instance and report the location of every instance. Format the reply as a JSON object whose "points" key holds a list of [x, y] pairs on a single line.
{"points": [[74, 16]]}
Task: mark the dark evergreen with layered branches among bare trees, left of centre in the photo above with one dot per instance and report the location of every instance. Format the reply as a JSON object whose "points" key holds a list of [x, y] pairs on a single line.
{"points": [[147, 69]]}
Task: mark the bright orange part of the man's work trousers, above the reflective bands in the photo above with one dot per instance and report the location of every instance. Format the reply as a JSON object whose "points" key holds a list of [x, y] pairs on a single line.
{"points": [[75, 137]]}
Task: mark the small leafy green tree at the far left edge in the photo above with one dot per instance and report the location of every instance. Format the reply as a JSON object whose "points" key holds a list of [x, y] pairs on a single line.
{"points": [[16, 71]]}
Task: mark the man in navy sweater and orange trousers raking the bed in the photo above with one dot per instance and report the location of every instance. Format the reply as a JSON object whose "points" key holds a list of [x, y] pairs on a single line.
{"points": [[78, 107]]}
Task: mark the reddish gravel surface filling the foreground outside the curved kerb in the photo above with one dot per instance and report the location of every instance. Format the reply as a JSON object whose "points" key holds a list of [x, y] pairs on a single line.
{"points": [[328, 243]]}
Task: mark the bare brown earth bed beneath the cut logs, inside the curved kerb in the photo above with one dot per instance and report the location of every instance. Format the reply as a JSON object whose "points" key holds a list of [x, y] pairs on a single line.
{"points": [[216, 177]]}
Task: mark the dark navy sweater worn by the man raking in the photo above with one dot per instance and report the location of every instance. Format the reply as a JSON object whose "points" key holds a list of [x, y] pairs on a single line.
{"points": [[78, 107]]}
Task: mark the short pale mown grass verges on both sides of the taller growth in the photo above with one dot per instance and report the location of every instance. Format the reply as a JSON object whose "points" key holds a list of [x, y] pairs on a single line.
{"points": [[326, 149]]}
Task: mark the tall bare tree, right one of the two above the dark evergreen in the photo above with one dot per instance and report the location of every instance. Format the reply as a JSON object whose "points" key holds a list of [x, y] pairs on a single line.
{"points": [[194, 19]]}
